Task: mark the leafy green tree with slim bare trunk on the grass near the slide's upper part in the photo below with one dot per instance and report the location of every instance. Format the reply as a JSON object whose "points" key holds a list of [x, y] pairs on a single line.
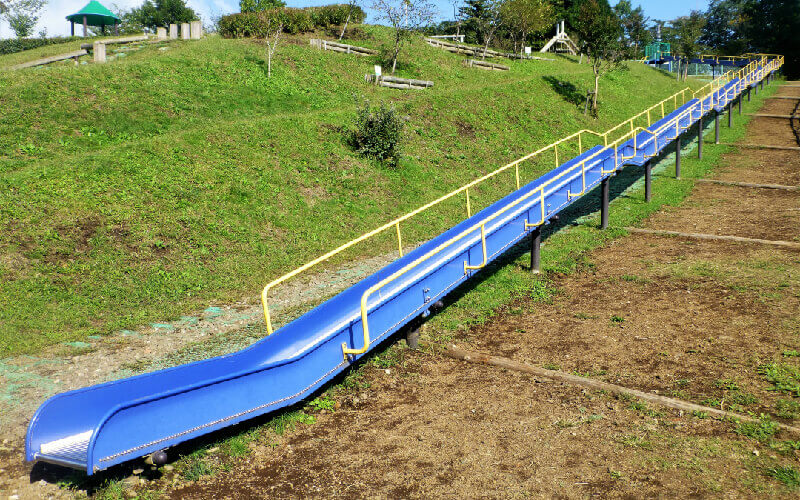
{"points": [[599, 31]]}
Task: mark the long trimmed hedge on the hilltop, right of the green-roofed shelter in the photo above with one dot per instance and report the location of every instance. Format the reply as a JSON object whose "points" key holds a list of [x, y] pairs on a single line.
{"points": [[254, 24]]}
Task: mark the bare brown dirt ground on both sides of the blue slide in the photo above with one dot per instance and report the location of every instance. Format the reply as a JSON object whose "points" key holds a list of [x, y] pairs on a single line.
{"points": [[689, 319]]}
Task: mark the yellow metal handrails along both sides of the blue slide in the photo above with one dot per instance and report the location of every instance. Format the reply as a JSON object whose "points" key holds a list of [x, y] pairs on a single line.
{"points": [[577, 135]]}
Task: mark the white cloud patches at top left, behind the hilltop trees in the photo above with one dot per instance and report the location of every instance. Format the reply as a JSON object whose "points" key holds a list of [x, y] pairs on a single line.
{"points": [[53, 17]]}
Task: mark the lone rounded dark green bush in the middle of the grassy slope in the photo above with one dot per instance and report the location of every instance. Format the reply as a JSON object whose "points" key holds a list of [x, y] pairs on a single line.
{"points": [[377, 133]]}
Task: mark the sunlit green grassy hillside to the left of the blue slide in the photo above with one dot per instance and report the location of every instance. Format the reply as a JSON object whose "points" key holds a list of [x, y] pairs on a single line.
{"points": [[156, 184]]}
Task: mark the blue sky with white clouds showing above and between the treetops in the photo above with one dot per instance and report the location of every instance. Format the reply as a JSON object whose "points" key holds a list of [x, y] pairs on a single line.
{"points": [[56, 10]]}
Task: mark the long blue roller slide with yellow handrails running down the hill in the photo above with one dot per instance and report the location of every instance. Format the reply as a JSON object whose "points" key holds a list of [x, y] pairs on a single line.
{"points": [[96, 427]]}
